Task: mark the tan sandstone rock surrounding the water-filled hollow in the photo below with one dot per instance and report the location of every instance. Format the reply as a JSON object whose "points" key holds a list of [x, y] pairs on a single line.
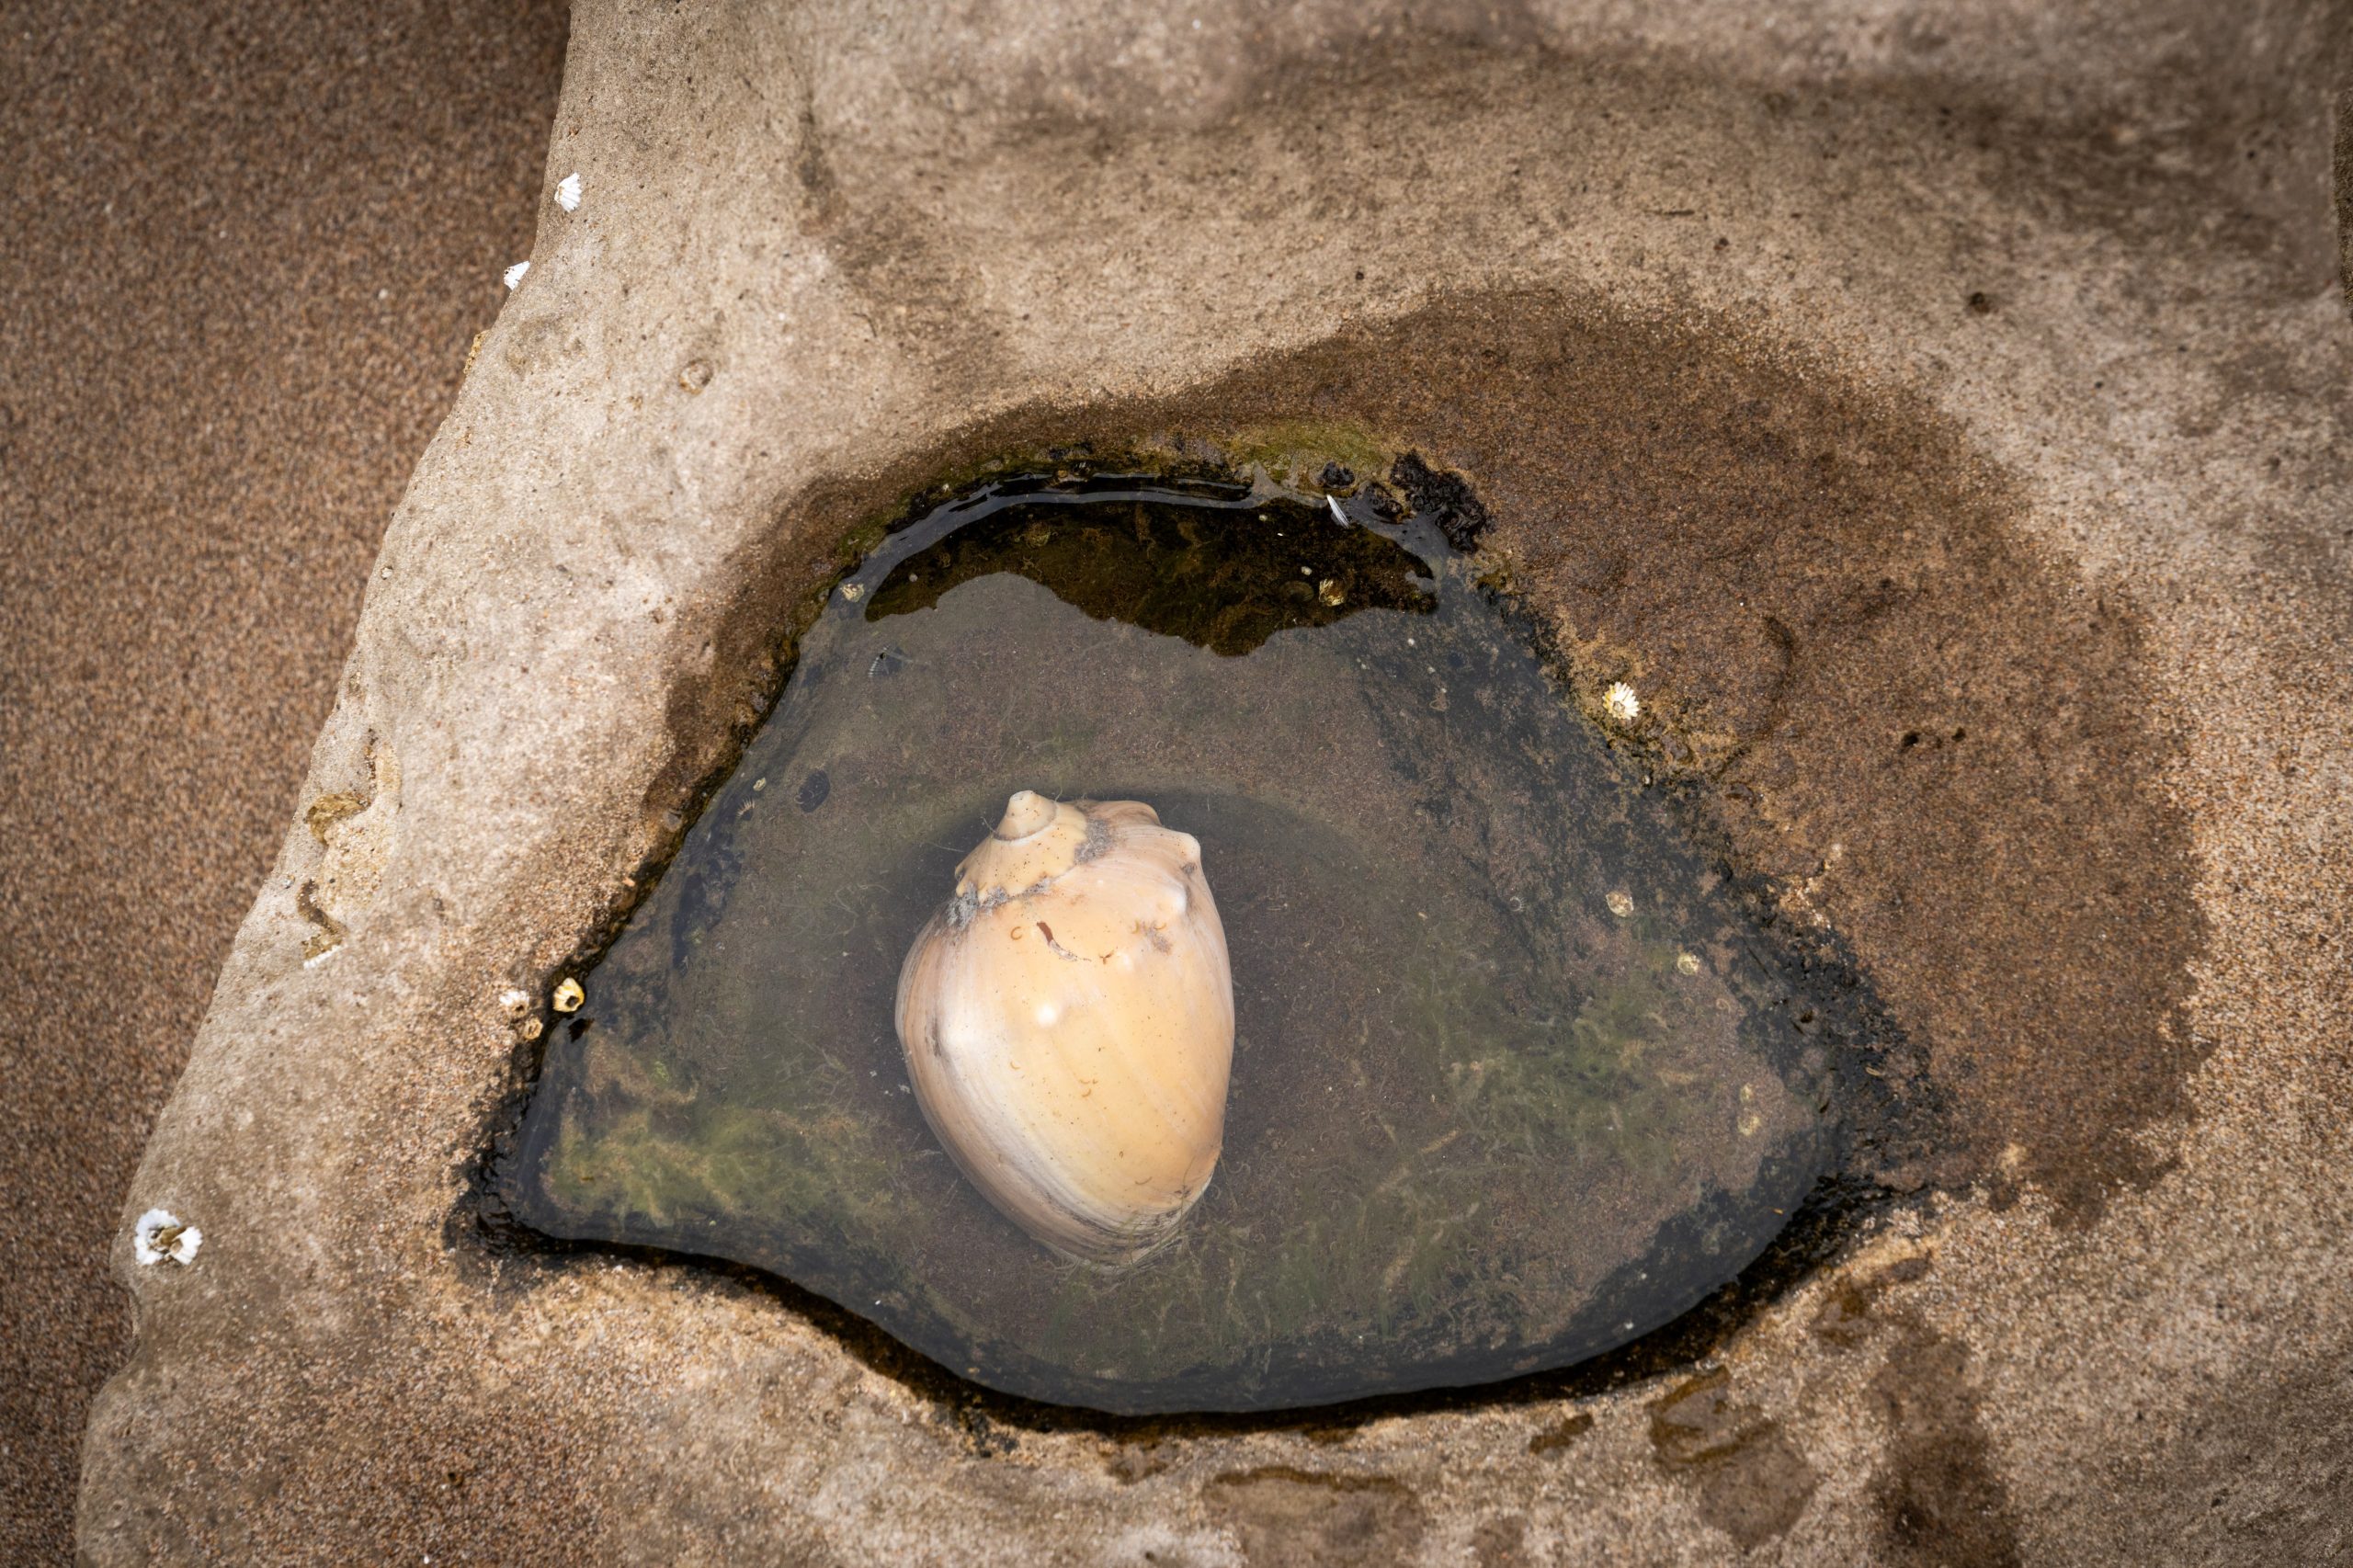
{"points": [[1935, 416]]}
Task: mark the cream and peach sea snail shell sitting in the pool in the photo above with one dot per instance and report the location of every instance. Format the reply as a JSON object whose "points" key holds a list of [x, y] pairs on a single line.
{"points": [[1069, 1025]]}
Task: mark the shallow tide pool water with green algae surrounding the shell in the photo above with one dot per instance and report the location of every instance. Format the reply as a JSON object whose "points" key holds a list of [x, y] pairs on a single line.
{"points": [[1517, 1077]]}
